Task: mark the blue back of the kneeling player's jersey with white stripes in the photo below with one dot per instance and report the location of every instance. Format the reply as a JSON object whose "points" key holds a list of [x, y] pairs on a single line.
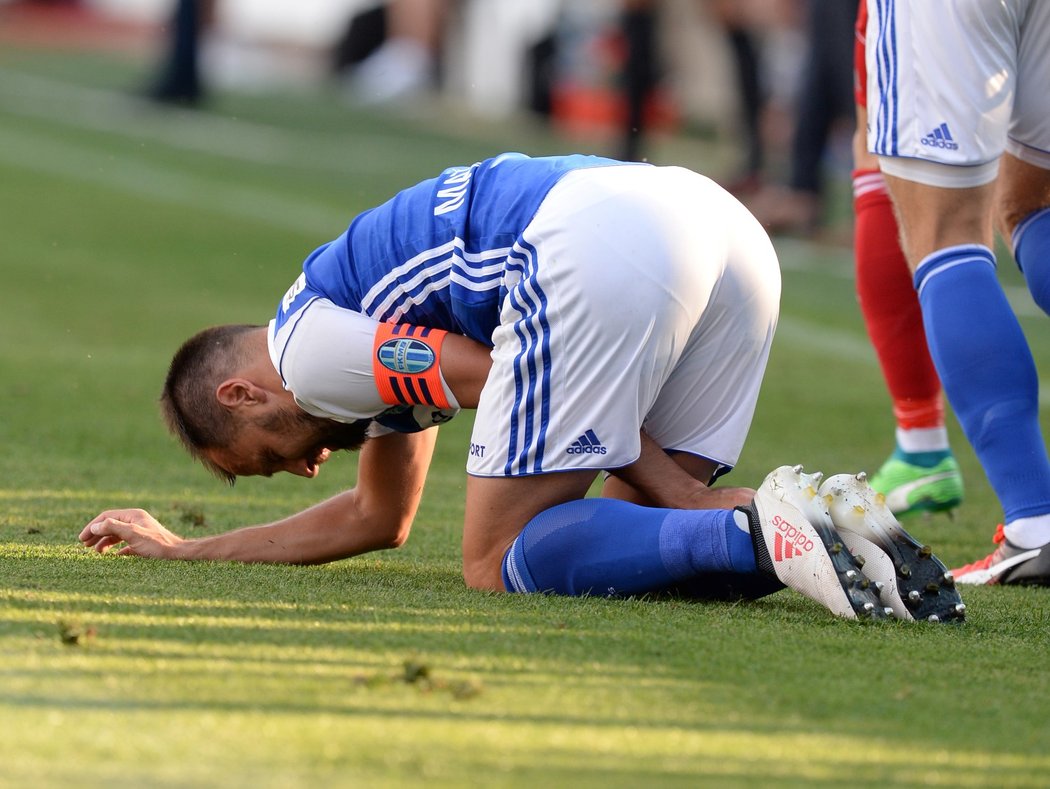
{"points": [[434, 255]]}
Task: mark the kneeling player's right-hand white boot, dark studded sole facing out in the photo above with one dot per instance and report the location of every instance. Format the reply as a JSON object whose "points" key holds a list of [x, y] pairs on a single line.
{"points": [[920, 586]]}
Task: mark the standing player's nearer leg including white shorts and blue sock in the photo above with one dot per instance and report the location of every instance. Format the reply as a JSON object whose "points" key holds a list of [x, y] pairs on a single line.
{"points": [[942, 127]]}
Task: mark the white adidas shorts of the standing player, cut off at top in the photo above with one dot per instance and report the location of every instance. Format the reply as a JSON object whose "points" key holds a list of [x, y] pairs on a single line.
{"points": [[957, 82]]}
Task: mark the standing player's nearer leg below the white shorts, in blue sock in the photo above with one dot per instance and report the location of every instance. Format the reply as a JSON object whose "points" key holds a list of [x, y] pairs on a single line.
{"points": [[989, 375]]}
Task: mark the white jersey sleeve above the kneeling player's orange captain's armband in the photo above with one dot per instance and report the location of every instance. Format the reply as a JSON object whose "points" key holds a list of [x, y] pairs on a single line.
{"points": [[325, 359]]}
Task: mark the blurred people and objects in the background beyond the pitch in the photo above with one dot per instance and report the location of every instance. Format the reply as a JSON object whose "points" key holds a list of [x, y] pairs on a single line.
{"points": [[754, 93]]}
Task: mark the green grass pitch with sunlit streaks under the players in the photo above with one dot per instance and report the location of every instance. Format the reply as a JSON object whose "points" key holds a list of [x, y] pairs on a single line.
{"points": [[124, 230]]}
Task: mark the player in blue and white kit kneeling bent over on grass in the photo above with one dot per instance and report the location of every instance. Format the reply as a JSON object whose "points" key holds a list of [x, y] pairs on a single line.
{"points": [[601, 317]]}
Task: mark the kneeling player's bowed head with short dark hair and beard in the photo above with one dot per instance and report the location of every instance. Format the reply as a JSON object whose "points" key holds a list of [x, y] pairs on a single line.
{"points": [[234, 442]]}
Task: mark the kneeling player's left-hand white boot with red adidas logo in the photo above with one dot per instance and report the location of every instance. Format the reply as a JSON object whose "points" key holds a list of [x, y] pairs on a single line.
{"points": [[809, 557]]}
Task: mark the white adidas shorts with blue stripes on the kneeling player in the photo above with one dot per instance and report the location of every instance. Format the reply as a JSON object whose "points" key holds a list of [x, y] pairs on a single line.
{"points": [[638, 298]]}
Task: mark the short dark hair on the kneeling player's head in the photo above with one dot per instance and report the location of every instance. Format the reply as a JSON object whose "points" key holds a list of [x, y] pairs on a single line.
{"points": [[193, 412]]}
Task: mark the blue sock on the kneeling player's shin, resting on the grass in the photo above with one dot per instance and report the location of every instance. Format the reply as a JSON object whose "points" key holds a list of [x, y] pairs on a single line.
{"points": [[607, 547]]}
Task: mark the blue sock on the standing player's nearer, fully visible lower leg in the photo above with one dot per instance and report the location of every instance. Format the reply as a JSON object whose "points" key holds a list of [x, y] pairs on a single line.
{"points": [[988, 372]]}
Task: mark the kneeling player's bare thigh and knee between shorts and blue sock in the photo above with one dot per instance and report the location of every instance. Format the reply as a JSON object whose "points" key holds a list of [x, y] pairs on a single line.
{"points": [[497, 511]]}
